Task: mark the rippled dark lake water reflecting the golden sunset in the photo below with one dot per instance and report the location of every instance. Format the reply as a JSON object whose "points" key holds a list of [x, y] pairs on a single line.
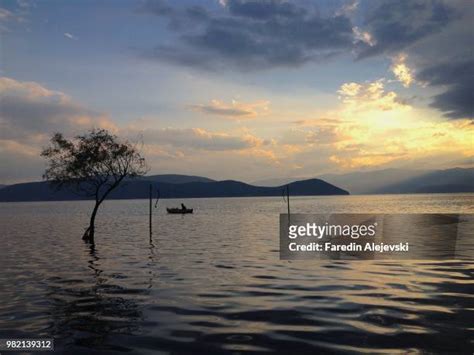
{"points": [[212, 282]]}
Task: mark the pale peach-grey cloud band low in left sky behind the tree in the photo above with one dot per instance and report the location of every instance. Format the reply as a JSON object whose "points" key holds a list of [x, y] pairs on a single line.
{"points": [[31, 112]]}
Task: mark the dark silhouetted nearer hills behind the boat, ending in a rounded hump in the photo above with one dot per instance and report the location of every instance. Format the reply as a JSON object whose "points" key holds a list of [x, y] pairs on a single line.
{"points": [[135, 189]]}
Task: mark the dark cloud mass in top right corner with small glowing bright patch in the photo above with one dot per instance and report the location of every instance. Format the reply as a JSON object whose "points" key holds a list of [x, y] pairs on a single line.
{"points": [[437, 36]]}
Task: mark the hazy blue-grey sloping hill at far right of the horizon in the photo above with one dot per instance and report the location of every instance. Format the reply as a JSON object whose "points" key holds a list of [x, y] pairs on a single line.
{"points": [[449, 180]]}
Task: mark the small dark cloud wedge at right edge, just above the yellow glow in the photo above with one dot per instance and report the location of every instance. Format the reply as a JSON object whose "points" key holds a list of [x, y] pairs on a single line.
{"points": [[458, 99]]}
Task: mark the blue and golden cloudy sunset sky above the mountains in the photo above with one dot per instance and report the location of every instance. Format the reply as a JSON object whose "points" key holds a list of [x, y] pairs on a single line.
{"points": [[241, 89]]}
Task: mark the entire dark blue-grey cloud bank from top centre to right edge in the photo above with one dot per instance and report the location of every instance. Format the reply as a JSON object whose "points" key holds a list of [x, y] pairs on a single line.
{"points": [[254, 35]]}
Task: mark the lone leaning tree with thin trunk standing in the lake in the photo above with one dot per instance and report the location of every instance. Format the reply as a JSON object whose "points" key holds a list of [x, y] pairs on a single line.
{"points": [[92, 165]]}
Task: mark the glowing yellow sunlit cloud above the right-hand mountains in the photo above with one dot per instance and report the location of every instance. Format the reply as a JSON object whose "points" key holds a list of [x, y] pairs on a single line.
{"points": [[372, 127]]}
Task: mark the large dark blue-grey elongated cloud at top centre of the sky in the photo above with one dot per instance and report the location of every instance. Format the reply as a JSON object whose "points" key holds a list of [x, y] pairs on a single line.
{"points": [[250, 35]]}
